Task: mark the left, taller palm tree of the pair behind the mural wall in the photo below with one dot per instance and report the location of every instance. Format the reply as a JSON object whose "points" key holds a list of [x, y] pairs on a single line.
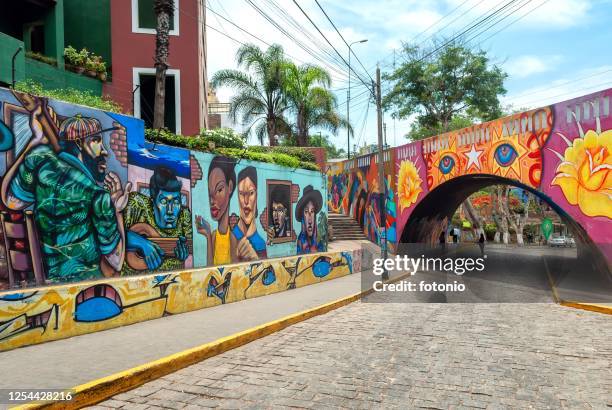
{"points": [[260, 99]]}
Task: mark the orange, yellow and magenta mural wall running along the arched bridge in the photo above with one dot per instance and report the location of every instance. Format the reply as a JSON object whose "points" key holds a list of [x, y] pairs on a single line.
{"points": [[564, 151]]}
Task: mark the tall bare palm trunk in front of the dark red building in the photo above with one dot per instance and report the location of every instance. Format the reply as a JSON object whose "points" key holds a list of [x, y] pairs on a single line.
{"points": [[164, 10]]}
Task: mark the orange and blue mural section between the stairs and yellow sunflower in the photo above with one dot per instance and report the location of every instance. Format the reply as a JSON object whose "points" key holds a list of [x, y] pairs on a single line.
{"points": [[354, 189]]}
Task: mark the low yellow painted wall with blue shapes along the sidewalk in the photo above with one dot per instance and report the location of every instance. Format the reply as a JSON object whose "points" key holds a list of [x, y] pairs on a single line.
{"points": [[59, 312]]}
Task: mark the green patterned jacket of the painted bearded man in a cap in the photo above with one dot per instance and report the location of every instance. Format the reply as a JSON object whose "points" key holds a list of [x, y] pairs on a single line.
{"points": [[74, 215]]}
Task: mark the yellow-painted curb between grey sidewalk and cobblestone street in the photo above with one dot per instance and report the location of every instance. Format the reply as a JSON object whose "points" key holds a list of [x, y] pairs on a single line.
{"points": [[93, 392]]}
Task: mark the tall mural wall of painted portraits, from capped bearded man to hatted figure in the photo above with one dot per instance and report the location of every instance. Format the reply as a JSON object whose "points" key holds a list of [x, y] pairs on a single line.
{"points": [[84, 196]]}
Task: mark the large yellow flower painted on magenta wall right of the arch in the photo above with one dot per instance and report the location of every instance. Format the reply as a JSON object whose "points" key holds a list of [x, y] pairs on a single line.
{"points": [[584, 174]]}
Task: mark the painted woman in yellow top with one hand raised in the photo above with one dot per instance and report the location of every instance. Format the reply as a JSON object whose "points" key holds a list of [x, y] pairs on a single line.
{"points": [[221, 185]]}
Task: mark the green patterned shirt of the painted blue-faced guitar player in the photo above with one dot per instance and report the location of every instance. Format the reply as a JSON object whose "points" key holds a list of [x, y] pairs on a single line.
{"points": [[140, 210]]}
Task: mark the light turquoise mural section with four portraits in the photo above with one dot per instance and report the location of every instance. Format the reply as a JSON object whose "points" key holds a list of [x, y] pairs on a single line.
{"points": [[248, 211]]}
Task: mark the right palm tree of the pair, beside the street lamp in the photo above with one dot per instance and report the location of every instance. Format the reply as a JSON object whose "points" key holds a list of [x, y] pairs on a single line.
{"points": [[307, 90]]}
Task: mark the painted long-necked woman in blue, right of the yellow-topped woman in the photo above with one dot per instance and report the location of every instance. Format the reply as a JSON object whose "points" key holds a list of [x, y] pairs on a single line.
{"points": [[251, 246]]}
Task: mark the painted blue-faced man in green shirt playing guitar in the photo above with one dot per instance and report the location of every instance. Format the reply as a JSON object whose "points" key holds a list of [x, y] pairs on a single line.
{"points": [[158, 226]]}
